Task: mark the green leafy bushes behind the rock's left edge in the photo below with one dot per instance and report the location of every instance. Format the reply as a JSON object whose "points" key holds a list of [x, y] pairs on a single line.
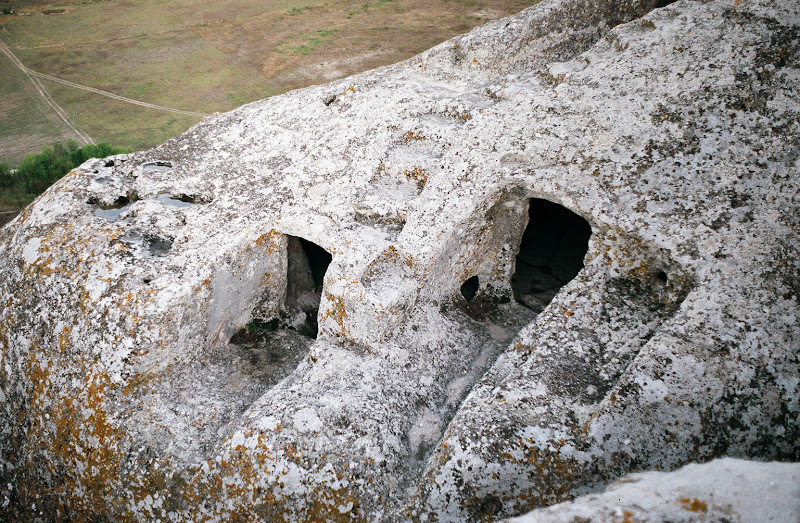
{"points": [[37, 172]]}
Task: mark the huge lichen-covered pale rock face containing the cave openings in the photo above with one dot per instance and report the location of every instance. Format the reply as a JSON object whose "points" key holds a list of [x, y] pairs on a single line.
{"points": [[555, 250]]}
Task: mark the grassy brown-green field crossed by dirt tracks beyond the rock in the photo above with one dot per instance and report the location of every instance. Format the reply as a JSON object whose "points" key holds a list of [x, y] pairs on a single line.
{"points": [[199, 56]]}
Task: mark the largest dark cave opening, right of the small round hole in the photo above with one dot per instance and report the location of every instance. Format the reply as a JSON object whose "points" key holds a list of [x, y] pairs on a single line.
{"points": [[551, 253]]}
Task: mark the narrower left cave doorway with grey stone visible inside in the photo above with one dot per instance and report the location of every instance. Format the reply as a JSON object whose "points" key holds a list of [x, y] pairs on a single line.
{"points": [[307, 263]]}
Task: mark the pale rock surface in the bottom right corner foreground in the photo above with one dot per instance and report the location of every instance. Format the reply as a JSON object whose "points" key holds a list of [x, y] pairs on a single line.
{"points": [[724, 490]]}
